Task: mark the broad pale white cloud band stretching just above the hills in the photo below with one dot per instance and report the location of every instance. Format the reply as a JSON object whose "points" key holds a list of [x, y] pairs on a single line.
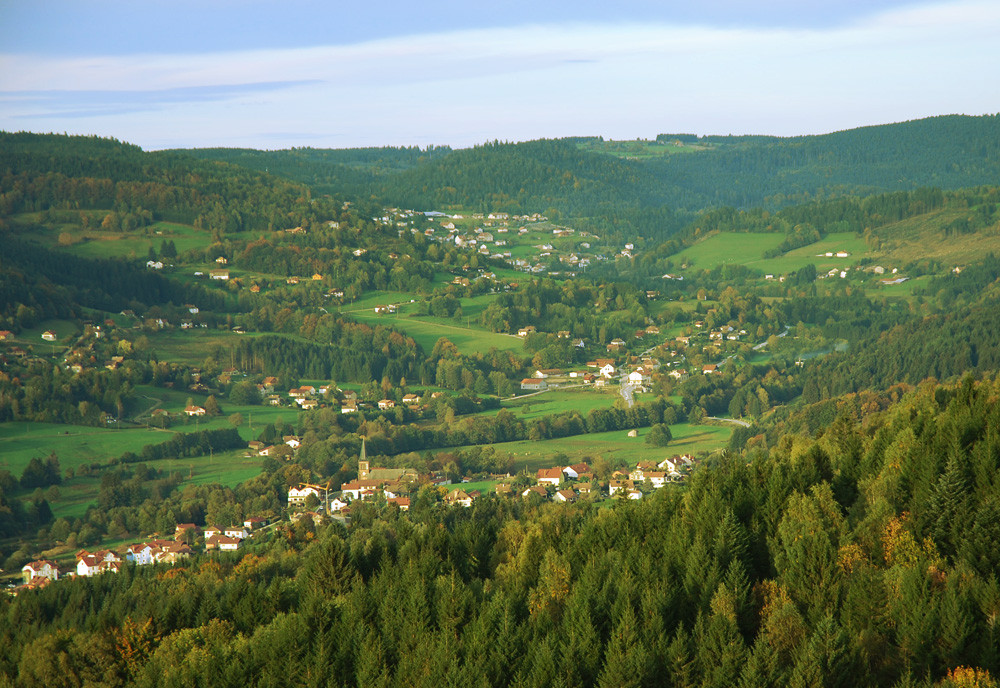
{"points": [[620, 80]]}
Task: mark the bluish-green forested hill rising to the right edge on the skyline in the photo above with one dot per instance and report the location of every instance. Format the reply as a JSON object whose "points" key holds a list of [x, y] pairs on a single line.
{"points": [[948, 152]]}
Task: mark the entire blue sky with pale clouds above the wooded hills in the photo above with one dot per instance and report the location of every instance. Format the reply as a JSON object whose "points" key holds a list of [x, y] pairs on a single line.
{"points": [[271, 75]]}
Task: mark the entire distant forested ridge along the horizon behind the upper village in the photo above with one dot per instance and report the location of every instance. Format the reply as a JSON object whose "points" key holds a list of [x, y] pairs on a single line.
{"points": [[656, 192]]}
